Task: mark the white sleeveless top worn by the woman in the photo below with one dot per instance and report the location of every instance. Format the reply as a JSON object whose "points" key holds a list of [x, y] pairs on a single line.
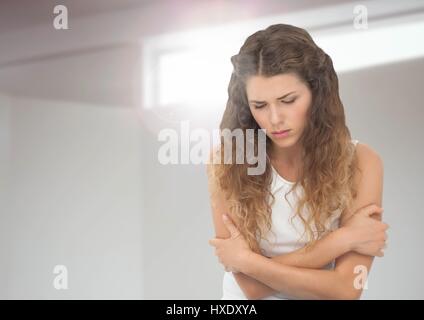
{"points": [[285, 235]]}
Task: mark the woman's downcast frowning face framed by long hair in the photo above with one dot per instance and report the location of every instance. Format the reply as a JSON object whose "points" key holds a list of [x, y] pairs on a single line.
{"points": [[279, 103]]}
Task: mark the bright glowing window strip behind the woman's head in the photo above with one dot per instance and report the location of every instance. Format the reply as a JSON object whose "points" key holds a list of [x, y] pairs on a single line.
{"points": [[193, 68]]}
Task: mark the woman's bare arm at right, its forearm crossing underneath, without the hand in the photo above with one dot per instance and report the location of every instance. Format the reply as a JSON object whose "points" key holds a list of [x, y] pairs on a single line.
{"points": [[326, 284]]}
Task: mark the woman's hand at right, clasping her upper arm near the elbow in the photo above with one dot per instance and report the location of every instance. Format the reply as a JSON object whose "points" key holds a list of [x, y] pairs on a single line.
{"points": [[368, 235]]}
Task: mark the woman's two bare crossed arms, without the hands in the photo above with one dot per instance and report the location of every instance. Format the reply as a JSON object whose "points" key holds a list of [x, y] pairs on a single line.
{"points": [[298, 273]]}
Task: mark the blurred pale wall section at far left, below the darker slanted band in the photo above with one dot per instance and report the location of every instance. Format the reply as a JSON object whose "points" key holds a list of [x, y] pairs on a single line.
{"points": [[73, 198]]}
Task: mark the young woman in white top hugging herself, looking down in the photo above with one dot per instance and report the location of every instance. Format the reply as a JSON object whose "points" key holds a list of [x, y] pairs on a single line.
{"points": [[310, 225]]}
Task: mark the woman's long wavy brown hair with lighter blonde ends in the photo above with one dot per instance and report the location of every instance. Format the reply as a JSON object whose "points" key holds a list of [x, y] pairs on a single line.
{"points": [[328, 157]]}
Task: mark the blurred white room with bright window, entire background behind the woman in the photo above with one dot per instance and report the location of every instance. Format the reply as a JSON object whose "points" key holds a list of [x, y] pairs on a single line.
{"points": [[84, 99]]}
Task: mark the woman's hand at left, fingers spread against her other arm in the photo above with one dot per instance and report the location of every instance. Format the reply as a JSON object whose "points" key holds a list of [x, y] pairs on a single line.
{"points": [[233, 251]]}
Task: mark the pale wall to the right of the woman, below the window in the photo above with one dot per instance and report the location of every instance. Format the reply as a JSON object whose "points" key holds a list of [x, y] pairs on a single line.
{"points": [[384, 109]]}
